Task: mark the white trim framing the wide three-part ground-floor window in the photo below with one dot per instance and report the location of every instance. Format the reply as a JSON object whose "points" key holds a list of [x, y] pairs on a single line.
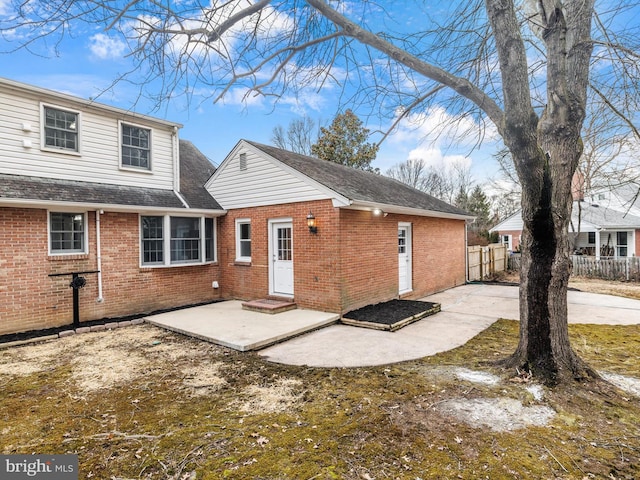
{"points": [[166, 242]]}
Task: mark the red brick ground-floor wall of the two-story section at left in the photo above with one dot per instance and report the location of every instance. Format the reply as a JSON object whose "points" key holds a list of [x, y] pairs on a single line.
{"points": [[30, 299]]}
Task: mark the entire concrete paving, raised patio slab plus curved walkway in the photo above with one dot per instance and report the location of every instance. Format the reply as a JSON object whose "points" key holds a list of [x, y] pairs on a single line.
{"points": [[307, 337]]}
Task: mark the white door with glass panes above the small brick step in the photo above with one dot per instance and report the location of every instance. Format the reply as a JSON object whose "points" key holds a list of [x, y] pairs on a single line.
{"points": [[282, 258]]}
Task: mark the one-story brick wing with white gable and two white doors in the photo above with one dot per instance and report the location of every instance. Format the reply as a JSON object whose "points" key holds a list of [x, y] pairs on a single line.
{"points": [[376, 238]]}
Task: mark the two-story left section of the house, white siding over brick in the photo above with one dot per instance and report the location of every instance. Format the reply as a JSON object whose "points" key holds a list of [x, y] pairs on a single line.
{"points": [[84, 188]]}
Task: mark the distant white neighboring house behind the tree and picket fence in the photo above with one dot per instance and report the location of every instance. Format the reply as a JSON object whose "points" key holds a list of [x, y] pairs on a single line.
{"points": [[598, 231]]}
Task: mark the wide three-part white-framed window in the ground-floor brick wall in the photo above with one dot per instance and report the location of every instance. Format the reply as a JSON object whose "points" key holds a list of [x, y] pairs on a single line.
{"points": [[170, 240]]}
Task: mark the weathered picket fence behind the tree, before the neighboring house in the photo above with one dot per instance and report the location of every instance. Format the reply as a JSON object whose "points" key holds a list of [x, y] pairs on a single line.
{"points": [[627, 269]]}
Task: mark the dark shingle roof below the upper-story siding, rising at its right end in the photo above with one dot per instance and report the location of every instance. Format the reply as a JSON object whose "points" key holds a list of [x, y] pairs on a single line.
{"points": [[194, 167]]}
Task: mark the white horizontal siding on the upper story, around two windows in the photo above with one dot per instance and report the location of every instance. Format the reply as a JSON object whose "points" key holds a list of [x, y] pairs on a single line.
{"points": [[99, 137]]}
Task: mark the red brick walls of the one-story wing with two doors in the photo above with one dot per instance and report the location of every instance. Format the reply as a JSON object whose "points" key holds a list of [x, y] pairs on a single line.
{"points": [[352, 261]]}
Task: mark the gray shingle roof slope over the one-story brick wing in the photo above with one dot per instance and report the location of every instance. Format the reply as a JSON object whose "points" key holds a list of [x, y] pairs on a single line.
{"points": [[358, 185]]}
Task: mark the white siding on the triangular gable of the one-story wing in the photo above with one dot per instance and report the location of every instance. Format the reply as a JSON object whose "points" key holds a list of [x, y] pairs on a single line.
{"points": [[262, 182]]}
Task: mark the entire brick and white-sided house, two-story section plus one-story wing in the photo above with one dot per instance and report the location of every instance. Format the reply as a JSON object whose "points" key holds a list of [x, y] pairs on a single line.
{"points": [[86, 187]]}
